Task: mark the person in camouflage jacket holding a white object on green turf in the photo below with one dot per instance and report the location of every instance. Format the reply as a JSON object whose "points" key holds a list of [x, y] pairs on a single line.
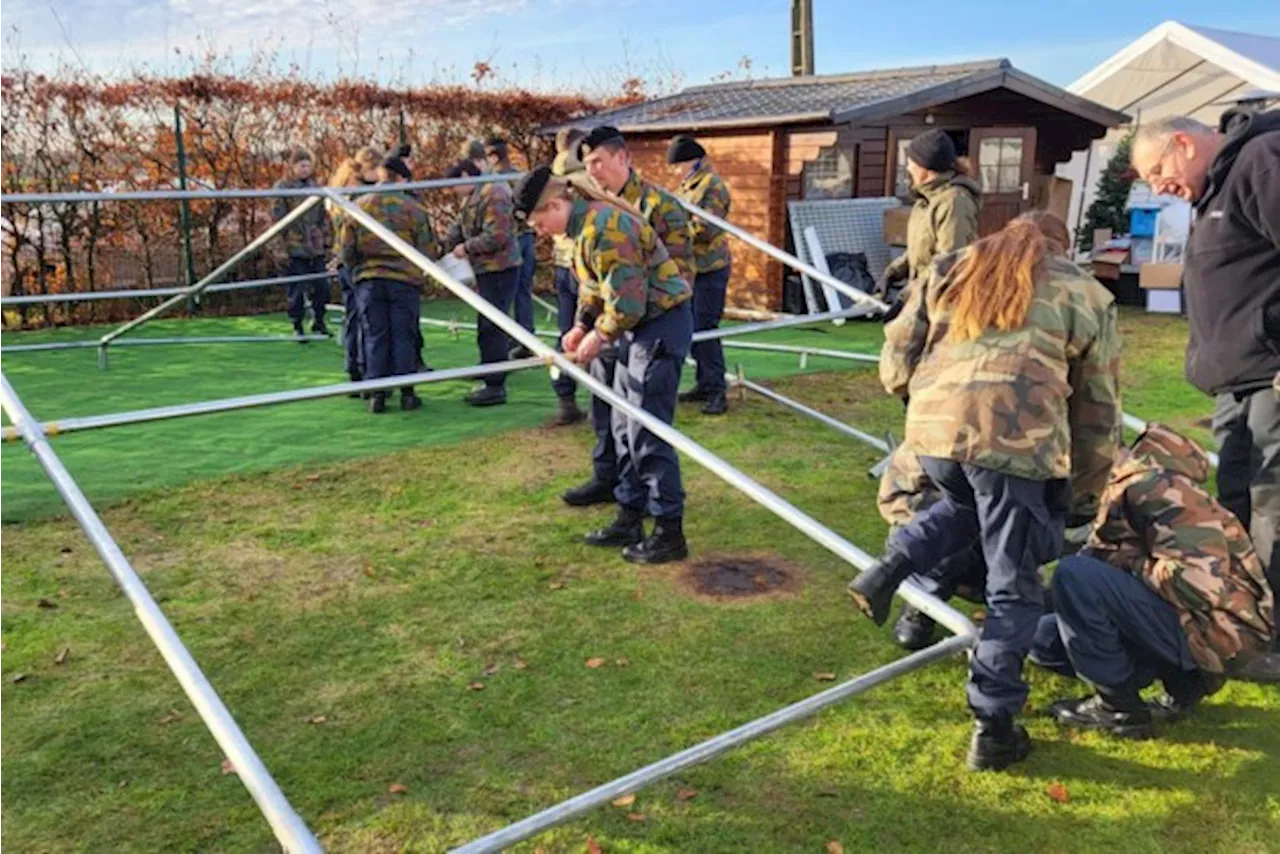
{"points": [[486, 234]]}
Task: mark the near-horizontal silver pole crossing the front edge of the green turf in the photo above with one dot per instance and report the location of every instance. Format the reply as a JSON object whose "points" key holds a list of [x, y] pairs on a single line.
{"points": [[273, 399]]}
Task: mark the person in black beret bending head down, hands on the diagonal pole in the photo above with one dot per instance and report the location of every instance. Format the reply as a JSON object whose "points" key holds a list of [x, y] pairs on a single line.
{"points": [[630, 295]]}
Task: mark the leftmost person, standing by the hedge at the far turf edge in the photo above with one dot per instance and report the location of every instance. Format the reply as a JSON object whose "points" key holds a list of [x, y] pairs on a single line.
{"points": [[307, 245]]}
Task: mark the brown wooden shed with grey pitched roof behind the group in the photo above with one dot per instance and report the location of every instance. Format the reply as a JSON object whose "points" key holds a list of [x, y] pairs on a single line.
{"points": [[842, 136]]}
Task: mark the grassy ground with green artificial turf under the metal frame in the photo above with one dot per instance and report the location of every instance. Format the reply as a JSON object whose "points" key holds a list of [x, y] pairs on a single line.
{"points": [[324, 565]]}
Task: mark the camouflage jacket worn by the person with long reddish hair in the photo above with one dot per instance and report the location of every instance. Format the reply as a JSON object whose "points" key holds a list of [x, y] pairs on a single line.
{"points": [[1040, 403]]}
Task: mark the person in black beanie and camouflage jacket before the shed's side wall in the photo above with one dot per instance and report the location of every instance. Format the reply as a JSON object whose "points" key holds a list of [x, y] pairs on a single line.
{"points": [[703, 189]]}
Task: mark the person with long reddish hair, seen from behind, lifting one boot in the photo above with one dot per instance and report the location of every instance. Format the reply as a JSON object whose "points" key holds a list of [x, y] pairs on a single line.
{"points": [[1011, 359]]}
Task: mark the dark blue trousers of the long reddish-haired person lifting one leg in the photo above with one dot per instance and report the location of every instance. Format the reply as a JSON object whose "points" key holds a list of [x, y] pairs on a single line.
{"points": [[1020, 526]]}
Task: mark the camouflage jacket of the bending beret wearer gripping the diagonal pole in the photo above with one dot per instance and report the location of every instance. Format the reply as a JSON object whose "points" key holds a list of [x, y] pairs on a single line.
{"points": [[624, 272]]}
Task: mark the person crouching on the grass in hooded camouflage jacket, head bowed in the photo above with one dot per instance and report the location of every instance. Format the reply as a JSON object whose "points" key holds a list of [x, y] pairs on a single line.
{"points": [[1168, 587]]}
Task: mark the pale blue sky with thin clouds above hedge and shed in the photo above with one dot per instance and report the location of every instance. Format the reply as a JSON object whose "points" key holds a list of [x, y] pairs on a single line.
{"points": [[551, 44]]}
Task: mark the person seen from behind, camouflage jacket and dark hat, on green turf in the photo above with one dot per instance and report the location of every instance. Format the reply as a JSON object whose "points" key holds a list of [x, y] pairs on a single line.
{"points": [[387, 285]]}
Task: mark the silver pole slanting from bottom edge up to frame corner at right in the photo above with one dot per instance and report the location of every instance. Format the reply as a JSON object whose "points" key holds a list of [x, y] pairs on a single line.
{"points": [[637, 780]]}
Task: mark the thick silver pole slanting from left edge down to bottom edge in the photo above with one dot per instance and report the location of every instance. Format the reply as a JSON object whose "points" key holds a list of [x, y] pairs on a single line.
{"points": [[289, 828]]}
